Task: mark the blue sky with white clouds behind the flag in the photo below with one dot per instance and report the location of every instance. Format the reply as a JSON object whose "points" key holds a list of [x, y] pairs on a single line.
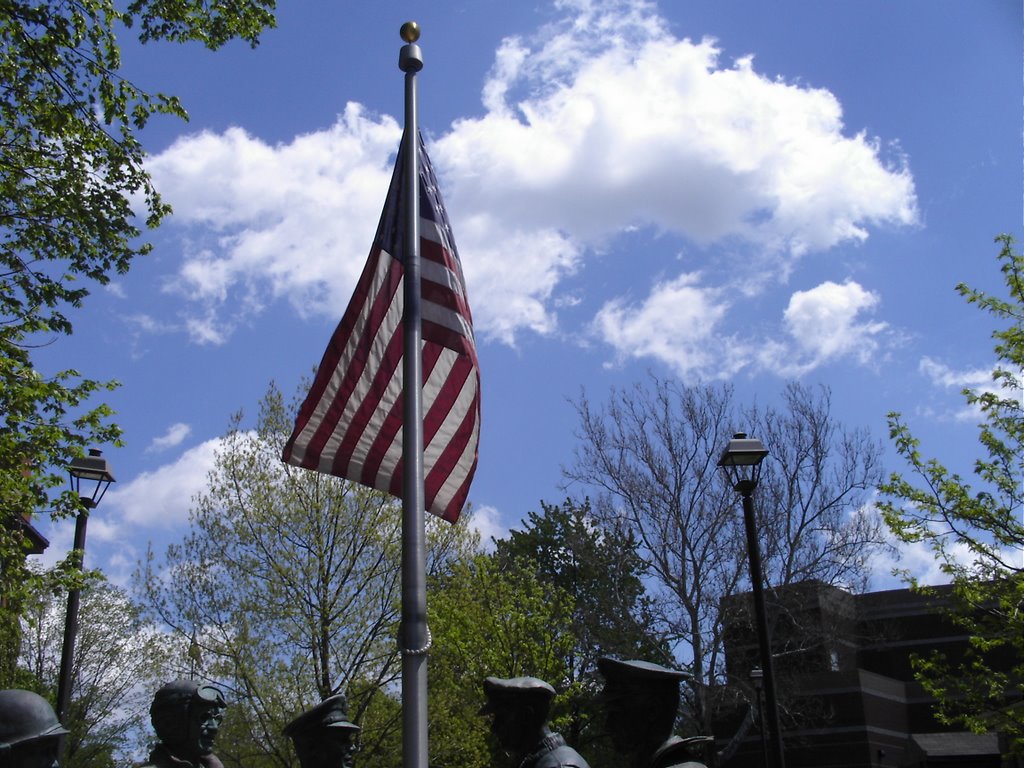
{"points": [[739, 192]]}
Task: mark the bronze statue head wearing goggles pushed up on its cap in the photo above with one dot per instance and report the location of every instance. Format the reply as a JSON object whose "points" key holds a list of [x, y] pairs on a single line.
{"points": [[187, 717]]}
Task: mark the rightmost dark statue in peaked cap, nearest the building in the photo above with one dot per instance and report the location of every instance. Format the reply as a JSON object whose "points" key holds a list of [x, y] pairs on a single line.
{"points": [[641, 701]]}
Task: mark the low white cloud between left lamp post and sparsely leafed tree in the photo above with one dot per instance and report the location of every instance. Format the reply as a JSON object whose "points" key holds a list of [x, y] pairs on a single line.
{"points": [[162, 499]]}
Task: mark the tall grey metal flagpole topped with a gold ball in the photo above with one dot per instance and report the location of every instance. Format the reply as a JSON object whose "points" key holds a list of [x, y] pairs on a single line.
{"points": [[414, 635]]}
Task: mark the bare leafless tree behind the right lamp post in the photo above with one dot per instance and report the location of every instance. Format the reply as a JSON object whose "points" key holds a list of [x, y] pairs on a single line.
{"points": [[652, 454]]}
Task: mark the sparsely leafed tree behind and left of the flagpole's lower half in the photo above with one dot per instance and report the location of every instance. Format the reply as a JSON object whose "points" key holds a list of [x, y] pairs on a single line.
{"points": [[289, 586]]}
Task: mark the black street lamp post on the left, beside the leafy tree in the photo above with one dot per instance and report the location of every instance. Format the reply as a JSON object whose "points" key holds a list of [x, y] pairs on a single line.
{"points": [[93, 472]]}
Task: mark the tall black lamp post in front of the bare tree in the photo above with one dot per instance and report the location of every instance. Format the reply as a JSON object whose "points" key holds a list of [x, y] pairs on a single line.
{"points": [[742, 462]]}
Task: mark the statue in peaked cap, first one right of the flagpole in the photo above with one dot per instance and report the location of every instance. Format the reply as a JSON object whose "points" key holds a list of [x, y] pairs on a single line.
{"points": [[521, 708]]}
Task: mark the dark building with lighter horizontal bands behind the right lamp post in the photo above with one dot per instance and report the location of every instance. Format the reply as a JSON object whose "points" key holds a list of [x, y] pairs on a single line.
{"points": [[843, 665]]}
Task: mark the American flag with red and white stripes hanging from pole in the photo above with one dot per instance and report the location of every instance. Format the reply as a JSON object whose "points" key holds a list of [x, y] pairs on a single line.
{"points": [[351, 424]]}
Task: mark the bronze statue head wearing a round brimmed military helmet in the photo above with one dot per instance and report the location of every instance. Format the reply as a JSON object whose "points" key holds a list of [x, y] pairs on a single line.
{"points": [[30, 733]]}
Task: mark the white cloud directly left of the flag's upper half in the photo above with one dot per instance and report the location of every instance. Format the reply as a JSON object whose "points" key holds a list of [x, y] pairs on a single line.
{"points": [[292, 222]]}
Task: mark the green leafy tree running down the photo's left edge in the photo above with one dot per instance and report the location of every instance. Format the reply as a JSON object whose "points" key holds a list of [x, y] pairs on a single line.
{"points": [[74, 194]]}
